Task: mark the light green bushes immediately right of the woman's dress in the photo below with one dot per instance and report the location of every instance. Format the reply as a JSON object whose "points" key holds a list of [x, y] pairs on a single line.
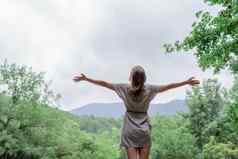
{"points": [[172, 140]]}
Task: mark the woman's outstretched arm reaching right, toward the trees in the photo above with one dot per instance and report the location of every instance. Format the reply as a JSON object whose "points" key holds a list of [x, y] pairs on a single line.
{"points": [[191, 81]]}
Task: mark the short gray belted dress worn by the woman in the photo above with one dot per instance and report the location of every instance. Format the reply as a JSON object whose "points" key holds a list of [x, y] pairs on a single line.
{"points": [[136, 130]]}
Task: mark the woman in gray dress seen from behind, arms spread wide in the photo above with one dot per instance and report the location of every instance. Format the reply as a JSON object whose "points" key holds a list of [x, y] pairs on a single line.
{"points": [[136, 131]]}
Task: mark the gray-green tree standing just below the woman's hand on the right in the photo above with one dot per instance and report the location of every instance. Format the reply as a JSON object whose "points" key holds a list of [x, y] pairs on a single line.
{"points": [[205, 104]]}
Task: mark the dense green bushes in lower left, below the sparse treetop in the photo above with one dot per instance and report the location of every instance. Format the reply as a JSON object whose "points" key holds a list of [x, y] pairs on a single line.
{"points": [[44, 132]]}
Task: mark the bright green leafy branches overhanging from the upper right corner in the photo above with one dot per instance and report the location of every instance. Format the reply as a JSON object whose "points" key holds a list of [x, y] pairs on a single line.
{"points": [[214, 38]]}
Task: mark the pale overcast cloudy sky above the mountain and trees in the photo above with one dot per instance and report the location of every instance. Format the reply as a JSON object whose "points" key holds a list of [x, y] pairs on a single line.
{"points": [[103, 39]]}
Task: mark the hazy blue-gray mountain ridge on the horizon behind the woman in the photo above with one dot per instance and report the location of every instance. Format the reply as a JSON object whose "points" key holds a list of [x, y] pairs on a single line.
{"points": [[117, 109]]}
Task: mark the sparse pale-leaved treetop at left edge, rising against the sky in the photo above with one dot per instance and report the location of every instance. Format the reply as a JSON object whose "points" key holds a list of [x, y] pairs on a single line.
{"points": [[24, 84]]}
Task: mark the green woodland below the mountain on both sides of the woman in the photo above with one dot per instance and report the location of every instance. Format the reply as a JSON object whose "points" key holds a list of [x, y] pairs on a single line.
{"points": [[33, 129]]}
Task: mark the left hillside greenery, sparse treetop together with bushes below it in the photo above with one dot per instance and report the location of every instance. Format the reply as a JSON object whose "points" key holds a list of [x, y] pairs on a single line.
{"points": [[31, 128]]}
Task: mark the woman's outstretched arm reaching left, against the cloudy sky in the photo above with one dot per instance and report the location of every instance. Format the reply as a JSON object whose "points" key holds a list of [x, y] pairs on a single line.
{"points": [[83, 77]]}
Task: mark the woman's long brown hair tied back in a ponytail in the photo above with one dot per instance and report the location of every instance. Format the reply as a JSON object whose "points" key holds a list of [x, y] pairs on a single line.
{"points": [[138, 79]]}
